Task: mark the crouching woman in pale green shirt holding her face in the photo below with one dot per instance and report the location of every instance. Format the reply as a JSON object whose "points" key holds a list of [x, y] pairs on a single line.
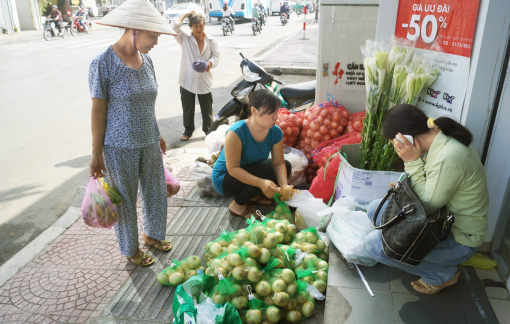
{"points": [[444, 170]]}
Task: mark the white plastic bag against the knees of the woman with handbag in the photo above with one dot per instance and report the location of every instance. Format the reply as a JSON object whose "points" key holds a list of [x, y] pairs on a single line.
{"points": [[347, 231]]}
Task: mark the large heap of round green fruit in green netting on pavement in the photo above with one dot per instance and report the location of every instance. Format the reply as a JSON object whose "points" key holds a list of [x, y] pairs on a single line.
{"points": [[255, 273]]}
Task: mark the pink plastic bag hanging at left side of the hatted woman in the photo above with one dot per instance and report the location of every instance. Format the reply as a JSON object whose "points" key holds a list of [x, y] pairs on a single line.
{"points": [[96, 209]]}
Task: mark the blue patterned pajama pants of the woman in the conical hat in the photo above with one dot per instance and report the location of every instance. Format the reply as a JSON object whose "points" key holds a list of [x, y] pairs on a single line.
{"points": [[127, 171]]}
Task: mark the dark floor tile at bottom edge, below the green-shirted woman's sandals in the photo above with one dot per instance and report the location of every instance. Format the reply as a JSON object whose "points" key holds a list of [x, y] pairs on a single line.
{"points": [[427, 309]]}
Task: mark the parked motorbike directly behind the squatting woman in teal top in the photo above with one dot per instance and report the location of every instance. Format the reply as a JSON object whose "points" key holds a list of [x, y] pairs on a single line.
{"points": [[297, 96]]}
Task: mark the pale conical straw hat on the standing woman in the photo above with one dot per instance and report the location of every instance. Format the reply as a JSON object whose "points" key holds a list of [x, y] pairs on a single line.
{"points": [[137, 14]]}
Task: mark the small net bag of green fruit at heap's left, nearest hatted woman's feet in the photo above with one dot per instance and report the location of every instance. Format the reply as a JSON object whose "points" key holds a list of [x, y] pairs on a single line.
{"points": [[180, 271]]}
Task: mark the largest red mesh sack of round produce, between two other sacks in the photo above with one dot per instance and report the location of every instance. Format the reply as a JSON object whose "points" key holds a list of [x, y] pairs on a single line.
{"points": [[322, 123]]}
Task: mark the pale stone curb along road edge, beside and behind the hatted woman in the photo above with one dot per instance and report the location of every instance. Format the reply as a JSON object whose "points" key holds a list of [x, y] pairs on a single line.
{"points": [[17, 262]]}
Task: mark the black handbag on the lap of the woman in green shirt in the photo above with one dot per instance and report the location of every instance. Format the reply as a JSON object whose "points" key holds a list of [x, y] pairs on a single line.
{"points": [[408, 233]]}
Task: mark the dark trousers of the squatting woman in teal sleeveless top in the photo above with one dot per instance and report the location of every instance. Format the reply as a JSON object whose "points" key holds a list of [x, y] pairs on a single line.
{"points": [[244, 192]]}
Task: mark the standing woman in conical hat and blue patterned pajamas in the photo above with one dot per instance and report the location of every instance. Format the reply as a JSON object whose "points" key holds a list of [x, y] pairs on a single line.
{"points": [[126, 142]]}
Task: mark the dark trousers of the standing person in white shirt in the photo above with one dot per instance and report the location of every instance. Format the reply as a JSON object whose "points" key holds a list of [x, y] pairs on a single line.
{"points": [[188, 111]]}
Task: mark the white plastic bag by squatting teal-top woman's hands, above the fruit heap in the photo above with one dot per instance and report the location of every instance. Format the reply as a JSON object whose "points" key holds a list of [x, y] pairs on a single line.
{"points": [[307, 211]]}
